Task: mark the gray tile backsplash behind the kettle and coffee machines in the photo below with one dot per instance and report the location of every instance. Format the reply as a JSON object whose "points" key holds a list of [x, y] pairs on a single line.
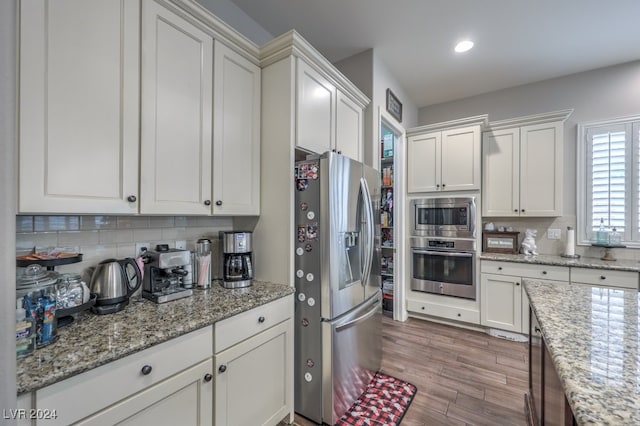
{"points": [[103, 237]]}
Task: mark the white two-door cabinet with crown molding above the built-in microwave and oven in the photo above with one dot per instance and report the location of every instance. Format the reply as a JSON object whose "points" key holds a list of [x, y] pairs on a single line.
{"points": [[445, 156]]}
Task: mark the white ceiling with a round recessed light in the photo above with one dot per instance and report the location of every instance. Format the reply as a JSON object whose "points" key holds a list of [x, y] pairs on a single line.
{"points": [[516, 41]]}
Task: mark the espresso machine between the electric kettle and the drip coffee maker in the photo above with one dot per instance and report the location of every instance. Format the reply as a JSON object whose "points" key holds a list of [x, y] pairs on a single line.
{"points": [[165, 271]]}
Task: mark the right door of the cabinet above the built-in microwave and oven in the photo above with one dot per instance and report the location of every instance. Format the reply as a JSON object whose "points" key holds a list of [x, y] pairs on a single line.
{"points": [[460, 159]]}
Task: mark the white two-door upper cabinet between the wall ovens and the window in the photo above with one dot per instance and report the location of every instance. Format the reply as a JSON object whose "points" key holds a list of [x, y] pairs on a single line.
{"points": [[522, 166]]}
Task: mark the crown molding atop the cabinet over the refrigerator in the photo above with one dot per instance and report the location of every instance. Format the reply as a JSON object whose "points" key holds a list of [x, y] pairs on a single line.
{"points": [[292, 43]]}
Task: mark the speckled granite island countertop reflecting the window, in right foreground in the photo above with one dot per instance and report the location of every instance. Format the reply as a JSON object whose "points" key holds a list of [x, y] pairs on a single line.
{"points": [[592, 335]]}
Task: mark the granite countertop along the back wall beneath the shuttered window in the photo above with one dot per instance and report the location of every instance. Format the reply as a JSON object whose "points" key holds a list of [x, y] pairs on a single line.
{"points": [[582, 262]]}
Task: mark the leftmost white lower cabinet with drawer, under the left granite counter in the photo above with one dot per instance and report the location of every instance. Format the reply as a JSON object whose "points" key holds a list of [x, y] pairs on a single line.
{"points": [[154, 386]]}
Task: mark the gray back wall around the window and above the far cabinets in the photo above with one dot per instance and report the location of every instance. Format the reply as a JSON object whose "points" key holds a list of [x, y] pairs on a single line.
{"points": [[594, 95]]}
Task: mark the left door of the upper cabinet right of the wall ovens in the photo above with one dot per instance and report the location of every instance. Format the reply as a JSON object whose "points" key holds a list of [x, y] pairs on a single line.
{"points": [[501, 173]]}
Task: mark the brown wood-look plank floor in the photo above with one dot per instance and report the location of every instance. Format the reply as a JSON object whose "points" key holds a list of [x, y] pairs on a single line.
{"points": [[463, 377]]}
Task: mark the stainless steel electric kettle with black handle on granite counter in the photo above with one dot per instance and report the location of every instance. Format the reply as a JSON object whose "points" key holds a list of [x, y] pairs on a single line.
{"points": [[114, 281]]}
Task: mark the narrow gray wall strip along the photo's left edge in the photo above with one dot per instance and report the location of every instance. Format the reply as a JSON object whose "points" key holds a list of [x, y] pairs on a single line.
{"points": [[8, 144]]}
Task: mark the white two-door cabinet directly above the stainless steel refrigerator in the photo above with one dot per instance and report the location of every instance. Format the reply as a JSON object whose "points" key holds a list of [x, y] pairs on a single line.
{"points": [[327, 119]]}
